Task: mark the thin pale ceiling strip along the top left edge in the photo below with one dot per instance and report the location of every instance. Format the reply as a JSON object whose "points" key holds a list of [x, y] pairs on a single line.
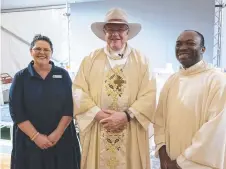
{"points": [[10, 4]]}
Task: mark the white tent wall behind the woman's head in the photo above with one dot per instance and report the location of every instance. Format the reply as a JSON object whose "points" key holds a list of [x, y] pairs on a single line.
{"points": [[15, 53]]}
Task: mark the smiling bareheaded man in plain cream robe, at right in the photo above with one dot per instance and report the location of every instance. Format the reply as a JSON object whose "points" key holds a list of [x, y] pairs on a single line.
{"points": [[190, 121]]}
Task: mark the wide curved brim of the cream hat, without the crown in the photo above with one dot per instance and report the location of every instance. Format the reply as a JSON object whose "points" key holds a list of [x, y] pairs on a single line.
{"points": [[98, 29]]}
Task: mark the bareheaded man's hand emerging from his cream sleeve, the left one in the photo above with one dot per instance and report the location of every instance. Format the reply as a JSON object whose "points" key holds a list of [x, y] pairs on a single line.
{"points": [[164, 158]]}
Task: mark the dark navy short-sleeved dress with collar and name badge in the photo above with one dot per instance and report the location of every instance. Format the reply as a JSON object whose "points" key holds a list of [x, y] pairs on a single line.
{"points": [[43, 103]]}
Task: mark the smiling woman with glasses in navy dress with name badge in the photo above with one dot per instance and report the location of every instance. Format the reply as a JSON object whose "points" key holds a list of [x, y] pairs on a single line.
{"points": [[41, 107]]}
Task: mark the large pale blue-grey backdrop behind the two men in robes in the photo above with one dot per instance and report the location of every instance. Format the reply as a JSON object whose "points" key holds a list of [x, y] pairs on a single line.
{"points": [[162, 22]]}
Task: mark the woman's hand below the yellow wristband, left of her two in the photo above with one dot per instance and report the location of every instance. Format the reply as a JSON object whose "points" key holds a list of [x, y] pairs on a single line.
{"points": [[43, 142]]}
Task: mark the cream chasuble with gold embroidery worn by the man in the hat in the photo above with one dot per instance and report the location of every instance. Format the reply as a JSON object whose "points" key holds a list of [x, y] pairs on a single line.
{"points": [[106, 81]]}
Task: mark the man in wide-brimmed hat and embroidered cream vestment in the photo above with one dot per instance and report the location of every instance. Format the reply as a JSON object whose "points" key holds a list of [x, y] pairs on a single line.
{"points": [[115, 99]]}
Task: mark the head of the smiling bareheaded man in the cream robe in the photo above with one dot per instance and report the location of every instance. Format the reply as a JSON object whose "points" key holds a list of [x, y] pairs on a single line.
{"points": [[189, 48]]}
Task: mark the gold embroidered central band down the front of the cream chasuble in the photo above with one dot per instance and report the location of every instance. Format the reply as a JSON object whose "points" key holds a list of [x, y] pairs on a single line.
{"points": [[113, 145]]}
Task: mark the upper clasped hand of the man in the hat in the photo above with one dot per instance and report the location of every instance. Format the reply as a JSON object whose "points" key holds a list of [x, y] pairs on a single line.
{"points": [[116, 122]]}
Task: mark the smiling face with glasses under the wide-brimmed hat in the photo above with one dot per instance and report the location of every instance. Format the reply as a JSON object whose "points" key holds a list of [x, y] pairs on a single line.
{"points": [[116, 35]]}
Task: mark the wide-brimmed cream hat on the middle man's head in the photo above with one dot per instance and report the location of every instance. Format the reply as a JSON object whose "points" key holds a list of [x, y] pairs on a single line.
{"points": [[117, 16]]}
